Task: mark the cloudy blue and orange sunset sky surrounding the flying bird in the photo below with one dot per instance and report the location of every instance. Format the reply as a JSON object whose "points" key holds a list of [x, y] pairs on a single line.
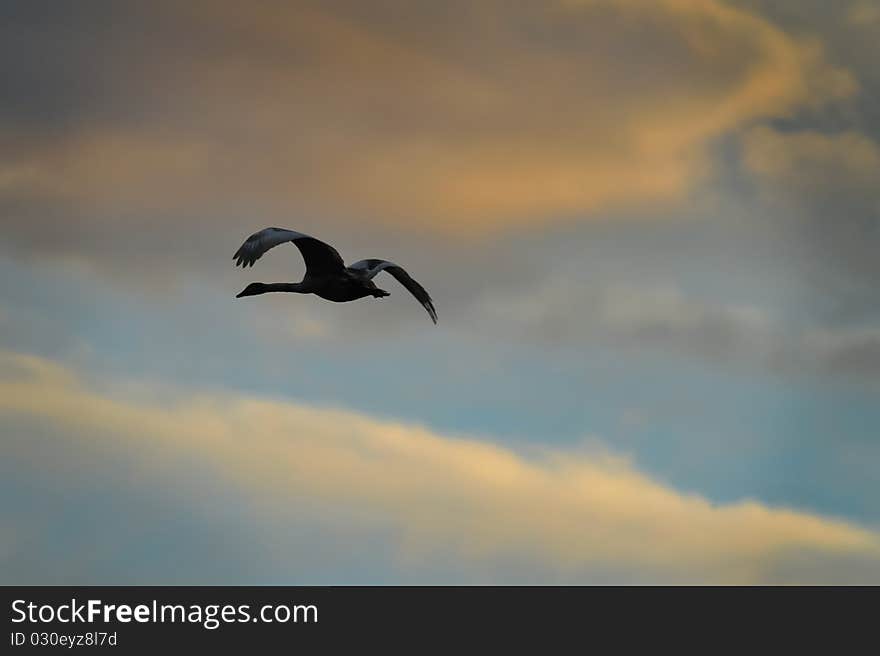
{"points": [[650, 229]]}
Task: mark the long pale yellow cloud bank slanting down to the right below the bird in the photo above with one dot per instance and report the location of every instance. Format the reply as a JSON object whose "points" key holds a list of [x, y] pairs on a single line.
{"points": [[570, 515]]}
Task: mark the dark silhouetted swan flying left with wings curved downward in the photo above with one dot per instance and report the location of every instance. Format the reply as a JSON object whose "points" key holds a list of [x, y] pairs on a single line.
{"points": [[326, 273]]}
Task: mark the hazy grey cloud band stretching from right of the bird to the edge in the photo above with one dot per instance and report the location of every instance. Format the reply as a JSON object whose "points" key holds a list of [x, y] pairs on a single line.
{"points": [[566, 312]]}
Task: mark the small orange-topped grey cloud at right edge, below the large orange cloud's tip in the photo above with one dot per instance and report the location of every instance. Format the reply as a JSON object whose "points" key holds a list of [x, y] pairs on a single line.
{"points": [[821, 191]]}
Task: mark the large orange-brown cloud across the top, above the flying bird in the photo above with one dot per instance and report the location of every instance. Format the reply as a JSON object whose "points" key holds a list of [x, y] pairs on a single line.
{"points": [[490, 117]]}
